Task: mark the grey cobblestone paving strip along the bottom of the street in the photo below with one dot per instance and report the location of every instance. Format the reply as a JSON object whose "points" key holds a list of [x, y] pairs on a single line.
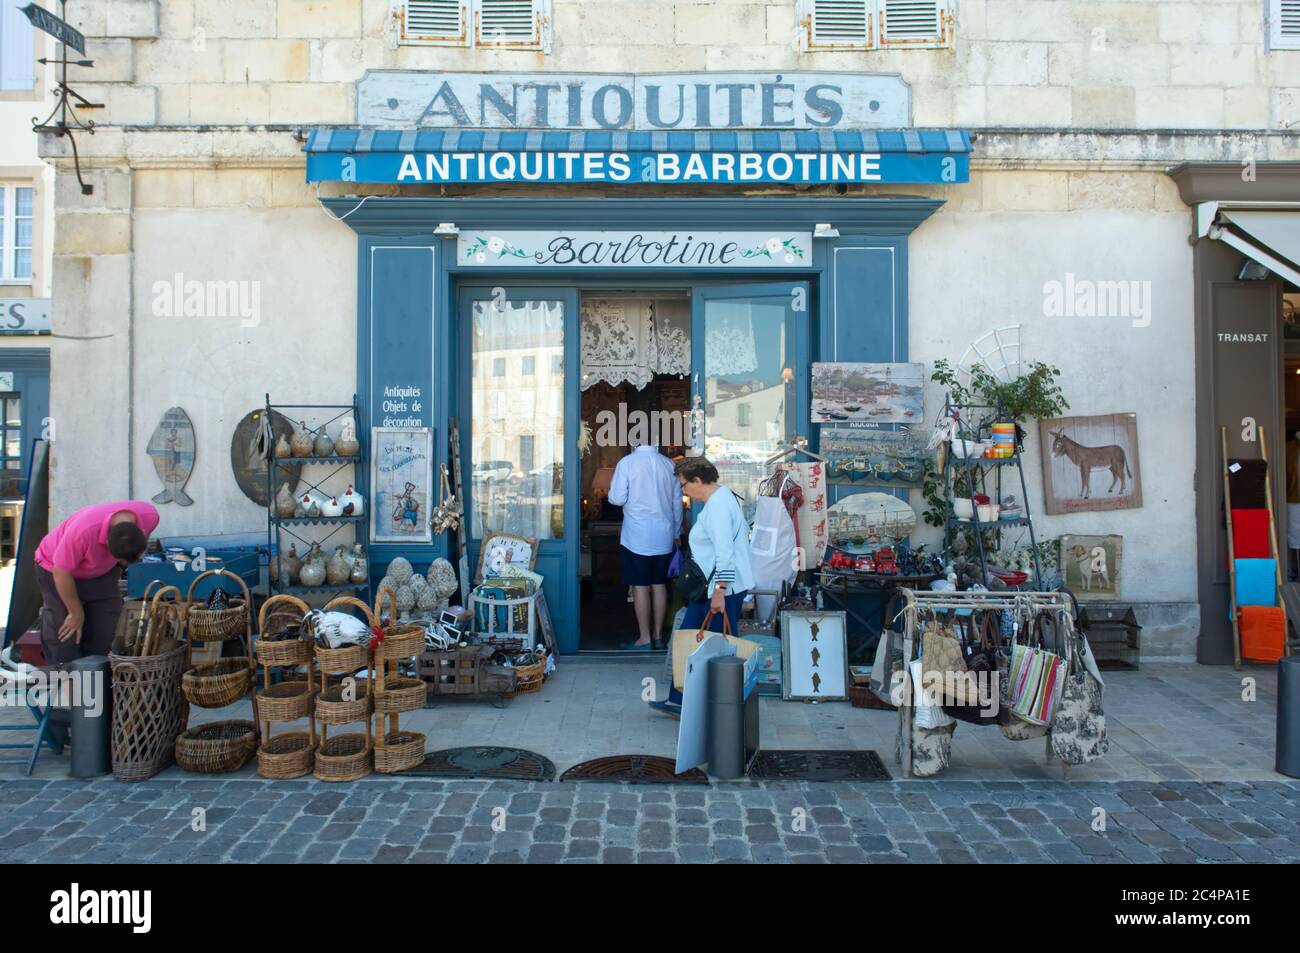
{"points": [[436, 822]]}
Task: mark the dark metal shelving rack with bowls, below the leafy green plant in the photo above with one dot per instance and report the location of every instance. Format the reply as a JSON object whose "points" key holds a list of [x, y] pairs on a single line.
{"points": [[982, 474]]}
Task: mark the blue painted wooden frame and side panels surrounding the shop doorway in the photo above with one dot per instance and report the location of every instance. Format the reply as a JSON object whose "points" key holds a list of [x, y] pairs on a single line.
{"points": [[857, 292]]}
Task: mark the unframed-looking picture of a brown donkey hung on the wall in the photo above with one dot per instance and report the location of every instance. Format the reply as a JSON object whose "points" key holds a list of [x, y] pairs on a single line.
{"points": [[1090, 463]]}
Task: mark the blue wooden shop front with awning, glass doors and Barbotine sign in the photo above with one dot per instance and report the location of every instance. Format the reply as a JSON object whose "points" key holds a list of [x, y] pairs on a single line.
{"points": [[554, 333]]}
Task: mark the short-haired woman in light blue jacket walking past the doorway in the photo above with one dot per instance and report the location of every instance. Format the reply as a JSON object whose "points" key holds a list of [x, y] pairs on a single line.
{"points": [[720, 544]]}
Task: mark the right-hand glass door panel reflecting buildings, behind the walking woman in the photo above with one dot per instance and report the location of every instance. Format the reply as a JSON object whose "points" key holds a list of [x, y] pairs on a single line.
{"points": [[748, 359]]}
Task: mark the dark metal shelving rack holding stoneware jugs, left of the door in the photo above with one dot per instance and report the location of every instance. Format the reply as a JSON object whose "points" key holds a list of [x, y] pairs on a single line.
{"points": [[281, 527]]}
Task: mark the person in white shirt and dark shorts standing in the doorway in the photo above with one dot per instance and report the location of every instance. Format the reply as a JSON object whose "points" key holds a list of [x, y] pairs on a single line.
{"points": [[645, 487]]}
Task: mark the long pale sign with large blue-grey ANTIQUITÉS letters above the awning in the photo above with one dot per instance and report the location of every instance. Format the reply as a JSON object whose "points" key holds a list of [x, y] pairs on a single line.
{"points": [[655, 102]]}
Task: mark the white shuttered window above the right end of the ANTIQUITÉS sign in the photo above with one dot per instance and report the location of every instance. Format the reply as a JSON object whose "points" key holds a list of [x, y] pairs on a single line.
{"points": [[876, 24]]}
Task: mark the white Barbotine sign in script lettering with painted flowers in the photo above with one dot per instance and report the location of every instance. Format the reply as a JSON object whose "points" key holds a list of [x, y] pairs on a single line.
{"points": [[635, 249]]}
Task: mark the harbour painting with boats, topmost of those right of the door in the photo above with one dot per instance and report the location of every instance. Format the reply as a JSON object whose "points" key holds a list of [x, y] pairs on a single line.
{"points": [[868, 393]]}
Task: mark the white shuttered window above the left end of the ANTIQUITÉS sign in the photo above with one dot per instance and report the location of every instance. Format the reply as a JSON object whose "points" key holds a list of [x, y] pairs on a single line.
{"points": [[510, 24]]}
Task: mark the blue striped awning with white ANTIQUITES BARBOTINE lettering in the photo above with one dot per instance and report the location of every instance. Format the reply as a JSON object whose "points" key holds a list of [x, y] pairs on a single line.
{"points": [[718, 157]]}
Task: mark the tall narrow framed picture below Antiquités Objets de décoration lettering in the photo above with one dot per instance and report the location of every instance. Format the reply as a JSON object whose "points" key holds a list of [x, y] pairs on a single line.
{"points": [[401, 484]]}
